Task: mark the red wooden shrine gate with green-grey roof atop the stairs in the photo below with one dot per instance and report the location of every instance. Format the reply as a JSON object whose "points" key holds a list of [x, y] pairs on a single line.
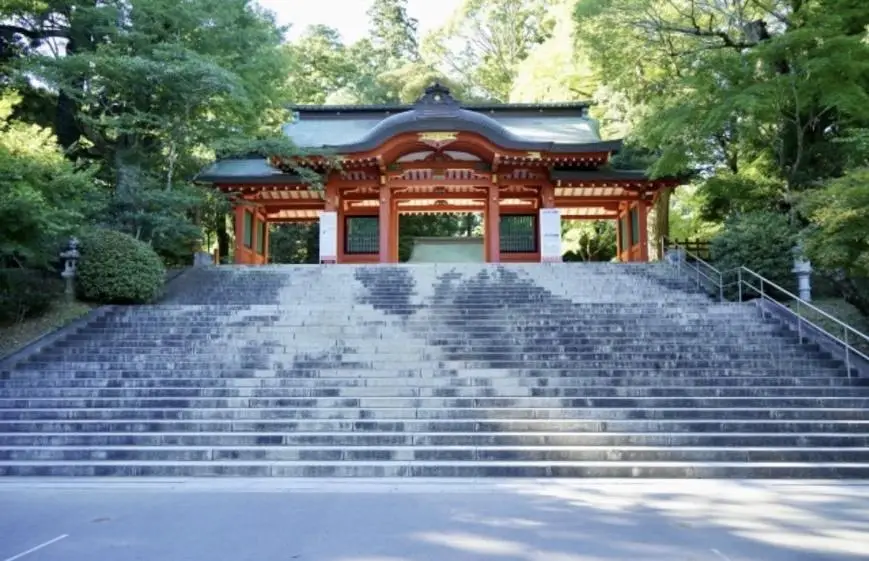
{"points": [[524, 167]]}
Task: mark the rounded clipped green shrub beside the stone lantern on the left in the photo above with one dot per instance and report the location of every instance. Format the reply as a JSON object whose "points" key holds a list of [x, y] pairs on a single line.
{"points": [[116, 268]]}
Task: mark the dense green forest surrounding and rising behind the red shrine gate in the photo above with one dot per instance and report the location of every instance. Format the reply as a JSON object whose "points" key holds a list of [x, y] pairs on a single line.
{"points": [[109, 108]]}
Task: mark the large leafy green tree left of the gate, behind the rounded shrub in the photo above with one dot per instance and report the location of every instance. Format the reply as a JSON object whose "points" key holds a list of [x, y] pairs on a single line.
{"points": [[148, 87]]}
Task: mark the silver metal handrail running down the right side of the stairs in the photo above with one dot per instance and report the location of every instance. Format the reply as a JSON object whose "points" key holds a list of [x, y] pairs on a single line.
{"points": [[850, 334]]}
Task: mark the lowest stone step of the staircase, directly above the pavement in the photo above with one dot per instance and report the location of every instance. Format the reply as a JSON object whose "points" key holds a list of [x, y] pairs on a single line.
{"points": [[776, 470]]}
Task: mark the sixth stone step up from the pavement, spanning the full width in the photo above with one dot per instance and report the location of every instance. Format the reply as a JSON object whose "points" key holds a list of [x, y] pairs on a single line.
{"points": [[366, 403]]}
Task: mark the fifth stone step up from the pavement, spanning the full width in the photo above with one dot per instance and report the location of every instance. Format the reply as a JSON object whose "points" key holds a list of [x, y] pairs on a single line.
{"points": [[780, 414]]}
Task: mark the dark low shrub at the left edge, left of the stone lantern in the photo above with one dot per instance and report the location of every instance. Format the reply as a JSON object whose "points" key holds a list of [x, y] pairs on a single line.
{"points": [[26, 293]]}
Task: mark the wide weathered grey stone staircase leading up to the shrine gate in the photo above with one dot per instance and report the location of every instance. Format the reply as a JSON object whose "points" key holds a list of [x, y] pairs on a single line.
{"points": [[567, 370]]}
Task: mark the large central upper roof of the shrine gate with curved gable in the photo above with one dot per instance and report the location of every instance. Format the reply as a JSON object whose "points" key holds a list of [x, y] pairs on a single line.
{"points": [[562, 127]]}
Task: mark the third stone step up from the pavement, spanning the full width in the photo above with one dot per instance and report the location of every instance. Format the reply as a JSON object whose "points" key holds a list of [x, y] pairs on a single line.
{"points": [[340, 439]]}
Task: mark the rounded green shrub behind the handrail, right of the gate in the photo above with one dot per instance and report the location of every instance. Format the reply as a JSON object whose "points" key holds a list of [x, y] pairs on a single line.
{"points": [[760, 241]]}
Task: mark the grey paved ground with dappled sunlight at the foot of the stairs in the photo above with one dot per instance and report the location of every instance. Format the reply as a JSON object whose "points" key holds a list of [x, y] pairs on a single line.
{"points": [[316, 520]]}
